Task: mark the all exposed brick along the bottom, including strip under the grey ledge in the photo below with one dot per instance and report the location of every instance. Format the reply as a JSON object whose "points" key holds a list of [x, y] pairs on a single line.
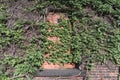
{"points": [[98, 72]]}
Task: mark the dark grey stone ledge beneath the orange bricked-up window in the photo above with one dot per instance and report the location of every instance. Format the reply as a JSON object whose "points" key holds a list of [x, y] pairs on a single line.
{"points": [[57, 72]]}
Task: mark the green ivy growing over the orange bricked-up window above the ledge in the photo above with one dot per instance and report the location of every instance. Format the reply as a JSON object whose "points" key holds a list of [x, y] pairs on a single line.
{"points": [[57, 50]]}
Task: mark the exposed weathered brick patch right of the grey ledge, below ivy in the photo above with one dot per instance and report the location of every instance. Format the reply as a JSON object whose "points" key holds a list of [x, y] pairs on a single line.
{"points": [[103, 72]]}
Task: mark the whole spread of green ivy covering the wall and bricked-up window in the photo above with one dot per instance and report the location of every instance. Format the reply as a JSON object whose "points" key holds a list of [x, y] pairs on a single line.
{"points": [[95, 35]]}
